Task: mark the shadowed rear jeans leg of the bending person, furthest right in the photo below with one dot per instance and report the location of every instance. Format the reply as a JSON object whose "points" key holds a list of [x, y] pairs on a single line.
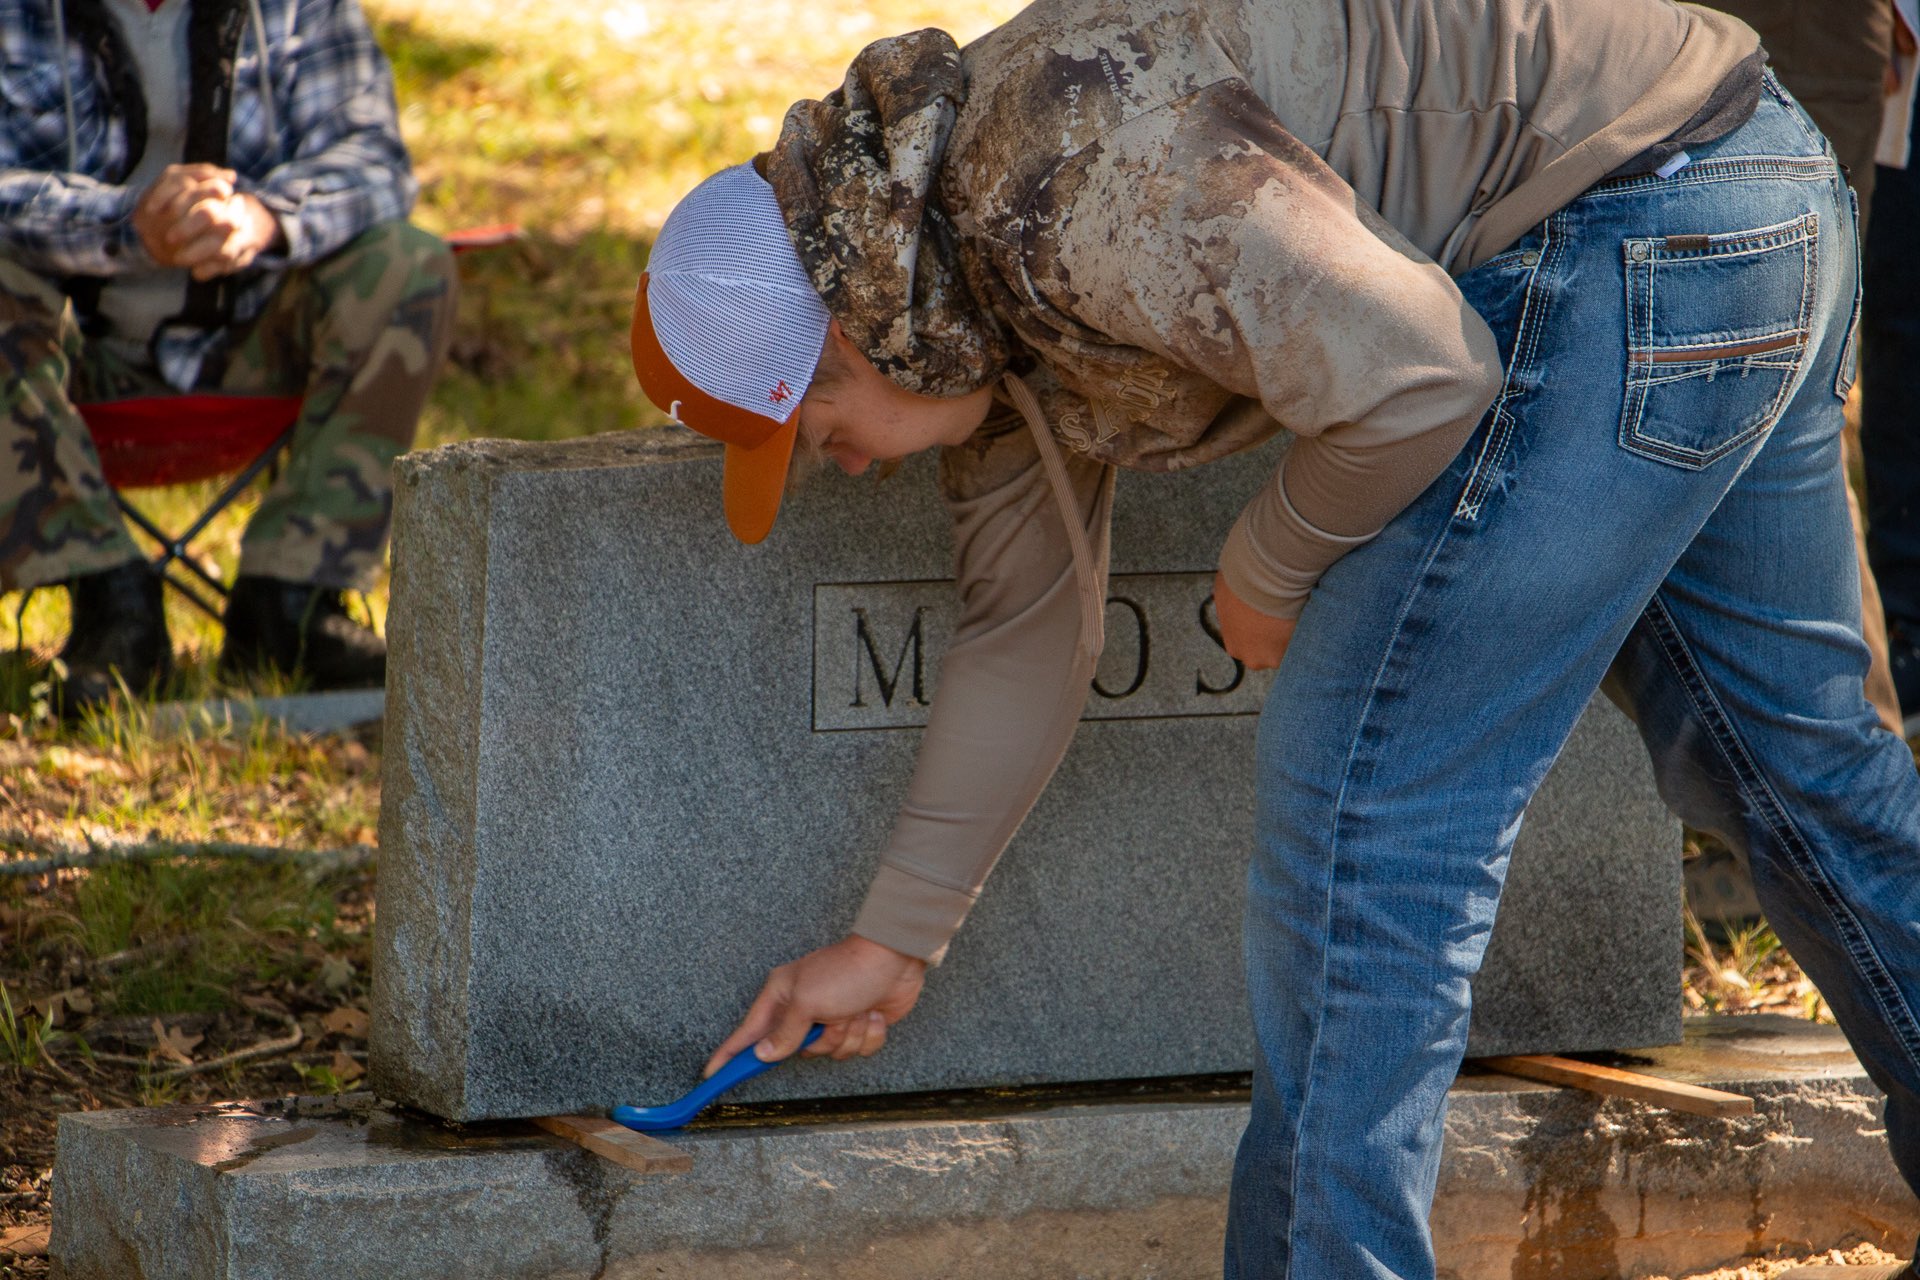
{"points": [[1744, 690]]}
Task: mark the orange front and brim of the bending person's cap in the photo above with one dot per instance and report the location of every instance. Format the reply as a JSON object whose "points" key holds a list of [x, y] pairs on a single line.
{"points": [[757, 448]]}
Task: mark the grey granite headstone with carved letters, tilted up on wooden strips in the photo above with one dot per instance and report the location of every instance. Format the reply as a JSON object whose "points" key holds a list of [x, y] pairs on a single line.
{"points": [[633, 765]]}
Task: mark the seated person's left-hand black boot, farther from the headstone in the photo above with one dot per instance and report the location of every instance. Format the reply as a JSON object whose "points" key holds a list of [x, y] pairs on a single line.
{"points": [[118, 634]]}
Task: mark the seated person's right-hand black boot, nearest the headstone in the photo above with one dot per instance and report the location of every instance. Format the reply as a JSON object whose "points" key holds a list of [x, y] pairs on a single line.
{"points": [[300, 628]]}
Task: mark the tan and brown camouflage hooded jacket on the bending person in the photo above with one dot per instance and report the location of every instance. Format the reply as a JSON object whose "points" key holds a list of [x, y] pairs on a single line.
{"points": [[1189, 225]]}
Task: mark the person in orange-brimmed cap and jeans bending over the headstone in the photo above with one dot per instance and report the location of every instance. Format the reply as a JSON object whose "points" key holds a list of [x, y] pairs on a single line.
{"points": [[1552, 300]]}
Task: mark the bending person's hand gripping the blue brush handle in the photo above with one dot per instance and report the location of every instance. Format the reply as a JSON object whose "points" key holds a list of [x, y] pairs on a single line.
{"points": [[855, 987]]}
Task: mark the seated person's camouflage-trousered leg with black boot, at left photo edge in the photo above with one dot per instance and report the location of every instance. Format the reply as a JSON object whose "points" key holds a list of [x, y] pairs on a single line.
{"points": [[59, 521]]}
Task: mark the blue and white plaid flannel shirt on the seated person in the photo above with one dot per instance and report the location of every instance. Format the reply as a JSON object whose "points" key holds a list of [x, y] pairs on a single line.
{"points": [[333, 168]]}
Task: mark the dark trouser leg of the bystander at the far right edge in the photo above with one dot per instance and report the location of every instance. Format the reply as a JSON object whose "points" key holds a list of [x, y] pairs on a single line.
{"points": [[1890, 417]]}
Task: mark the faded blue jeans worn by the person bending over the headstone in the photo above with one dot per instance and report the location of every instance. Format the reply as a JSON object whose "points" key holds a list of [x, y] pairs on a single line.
{"points": [[1658, 490]]}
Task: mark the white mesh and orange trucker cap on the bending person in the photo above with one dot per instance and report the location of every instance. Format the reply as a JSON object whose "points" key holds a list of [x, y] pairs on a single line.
{"points": [[729, 333]]}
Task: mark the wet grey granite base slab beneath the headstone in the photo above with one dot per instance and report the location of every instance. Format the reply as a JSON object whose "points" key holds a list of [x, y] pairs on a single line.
{"points": [[1537, 1185]]}
